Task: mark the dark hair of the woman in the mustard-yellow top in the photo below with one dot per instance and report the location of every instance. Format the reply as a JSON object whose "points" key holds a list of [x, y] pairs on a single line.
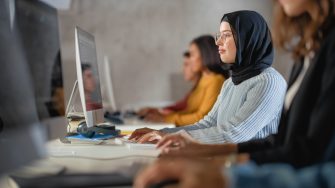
{"points": [[209, 54]]}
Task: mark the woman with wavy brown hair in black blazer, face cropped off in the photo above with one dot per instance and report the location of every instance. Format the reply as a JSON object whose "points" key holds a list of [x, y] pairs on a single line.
{"points": [[307, 124]]}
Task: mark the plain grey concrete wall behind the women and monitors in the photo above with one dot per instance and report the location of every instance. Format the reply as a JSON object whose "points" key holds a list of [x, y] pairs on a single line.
{"points": [[144, 41]]}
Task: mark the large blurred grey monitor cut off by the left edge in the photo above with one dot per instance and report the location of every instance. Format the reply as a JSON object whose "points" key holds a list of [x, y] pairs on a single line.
{"points": [[22, 139]]}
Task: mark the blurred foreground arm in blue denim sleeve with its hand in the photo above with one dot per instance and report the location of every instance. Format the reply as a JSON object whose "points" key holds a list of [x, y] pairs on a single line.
{"points": [[206, 174]]}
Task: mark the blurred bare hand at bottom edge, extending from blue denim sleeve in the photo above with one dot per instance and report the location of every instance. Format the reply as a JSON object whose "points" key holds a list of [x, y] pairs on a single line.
{"points": [[188, 174]]}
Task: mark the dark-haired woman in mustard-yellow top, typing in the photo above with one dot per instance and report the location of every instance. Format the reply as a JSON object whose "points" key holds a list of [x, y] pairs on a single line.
{"points": [[202, 66]]}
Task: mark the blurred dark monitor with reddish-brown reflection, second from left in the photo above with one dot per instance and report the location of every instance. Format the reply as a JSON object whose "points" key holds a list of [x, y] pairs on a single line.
{"points": [[36, 24]]}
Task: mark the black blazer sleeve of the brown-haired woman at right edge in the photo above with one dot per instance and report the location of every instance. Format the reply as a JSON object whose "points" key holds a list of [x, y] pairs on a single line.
{"points": [[309, 148]]}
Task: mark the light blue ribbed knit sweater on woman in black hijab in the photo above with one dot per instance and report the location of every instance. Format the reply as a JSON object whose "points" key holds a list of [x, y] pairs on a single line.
{"points": [[249, 110]]}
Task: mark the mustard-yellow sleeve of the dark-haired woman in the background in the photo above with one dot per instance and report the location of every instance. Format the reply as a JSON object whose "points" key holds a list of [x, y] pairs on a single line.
{"points": [[207, 102]]}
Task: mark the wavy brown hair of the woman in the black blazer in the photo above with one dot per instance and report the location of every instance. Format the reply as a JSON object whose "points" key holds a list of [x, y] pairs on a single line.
{"points": [[301, 35]]}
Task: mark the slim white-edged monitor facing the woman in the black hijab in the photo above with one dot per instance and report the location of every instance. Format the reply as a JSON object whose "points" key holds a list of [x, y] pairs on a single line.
{"points": [[88, 77]]}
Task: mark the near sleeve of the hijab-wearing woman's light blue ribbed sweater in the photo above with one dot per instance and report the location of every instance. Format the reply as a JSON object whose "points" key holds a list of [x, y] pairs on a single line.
{"points": [[263, 102]]}
